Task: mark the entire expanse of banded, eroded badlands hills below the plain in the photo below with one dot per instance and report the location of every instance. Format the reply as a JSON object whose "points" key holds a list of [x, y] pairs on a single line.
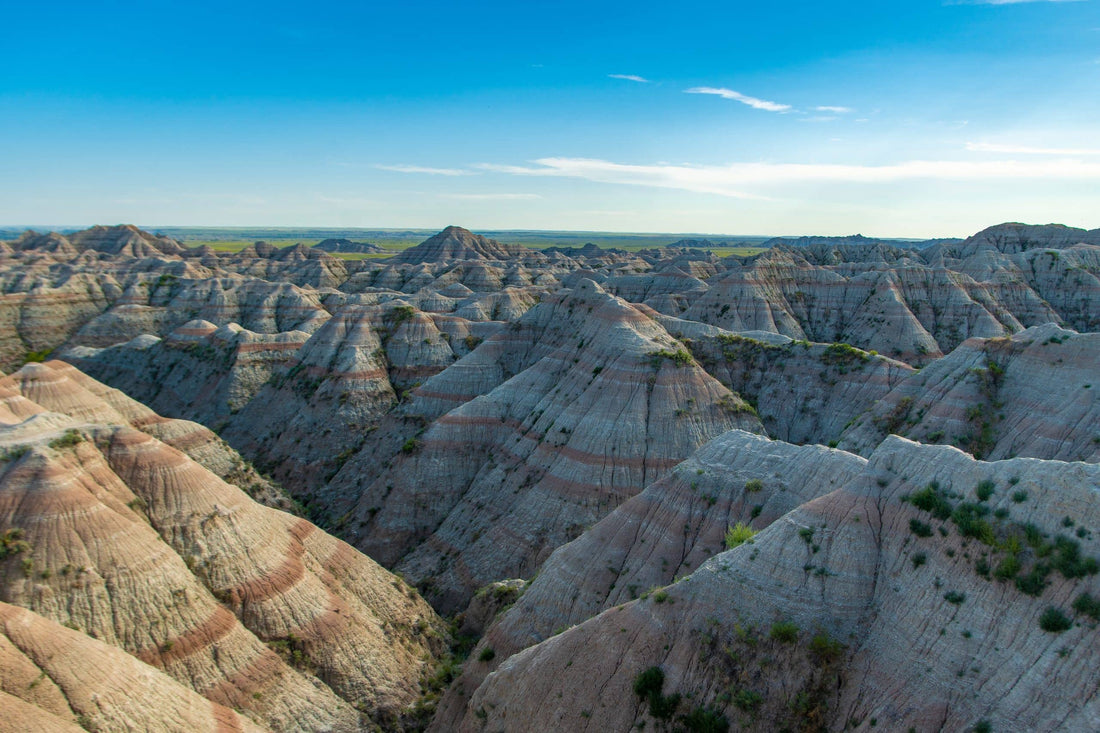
{"points": [[841, 485]]}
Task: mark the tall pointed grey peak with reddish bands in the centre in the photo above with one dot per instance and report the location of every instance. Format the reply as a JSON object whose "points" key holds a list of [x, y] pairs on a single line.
{"points": [[582, 403]]}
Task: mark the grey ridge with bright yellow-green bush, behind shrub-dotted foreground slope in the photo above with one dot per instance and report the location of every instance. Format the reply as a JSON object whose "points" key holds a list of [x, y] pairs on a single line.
{"points": [[663, 534]]}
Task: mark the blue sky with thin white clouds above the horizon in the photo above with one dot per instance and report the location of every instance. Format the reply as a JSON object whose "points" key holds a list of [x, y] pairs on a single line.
{"points": [[907, 119]]}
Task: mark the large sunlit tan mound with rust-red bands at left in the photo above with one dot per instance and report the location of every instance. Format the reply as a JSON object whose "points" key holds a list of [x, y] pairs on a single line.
{"points": [[131, 542]]}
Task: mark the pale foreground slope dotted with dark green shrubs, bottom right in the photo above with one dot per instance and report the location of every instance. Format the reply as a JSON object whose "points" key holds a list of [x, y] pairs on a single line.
{"points": [[849, 612]]}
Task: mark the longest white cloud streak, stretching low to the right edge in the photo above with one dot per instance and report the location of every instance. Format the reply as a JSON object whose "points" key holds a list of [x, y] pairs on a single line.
{"points": [[746, 180]]}
